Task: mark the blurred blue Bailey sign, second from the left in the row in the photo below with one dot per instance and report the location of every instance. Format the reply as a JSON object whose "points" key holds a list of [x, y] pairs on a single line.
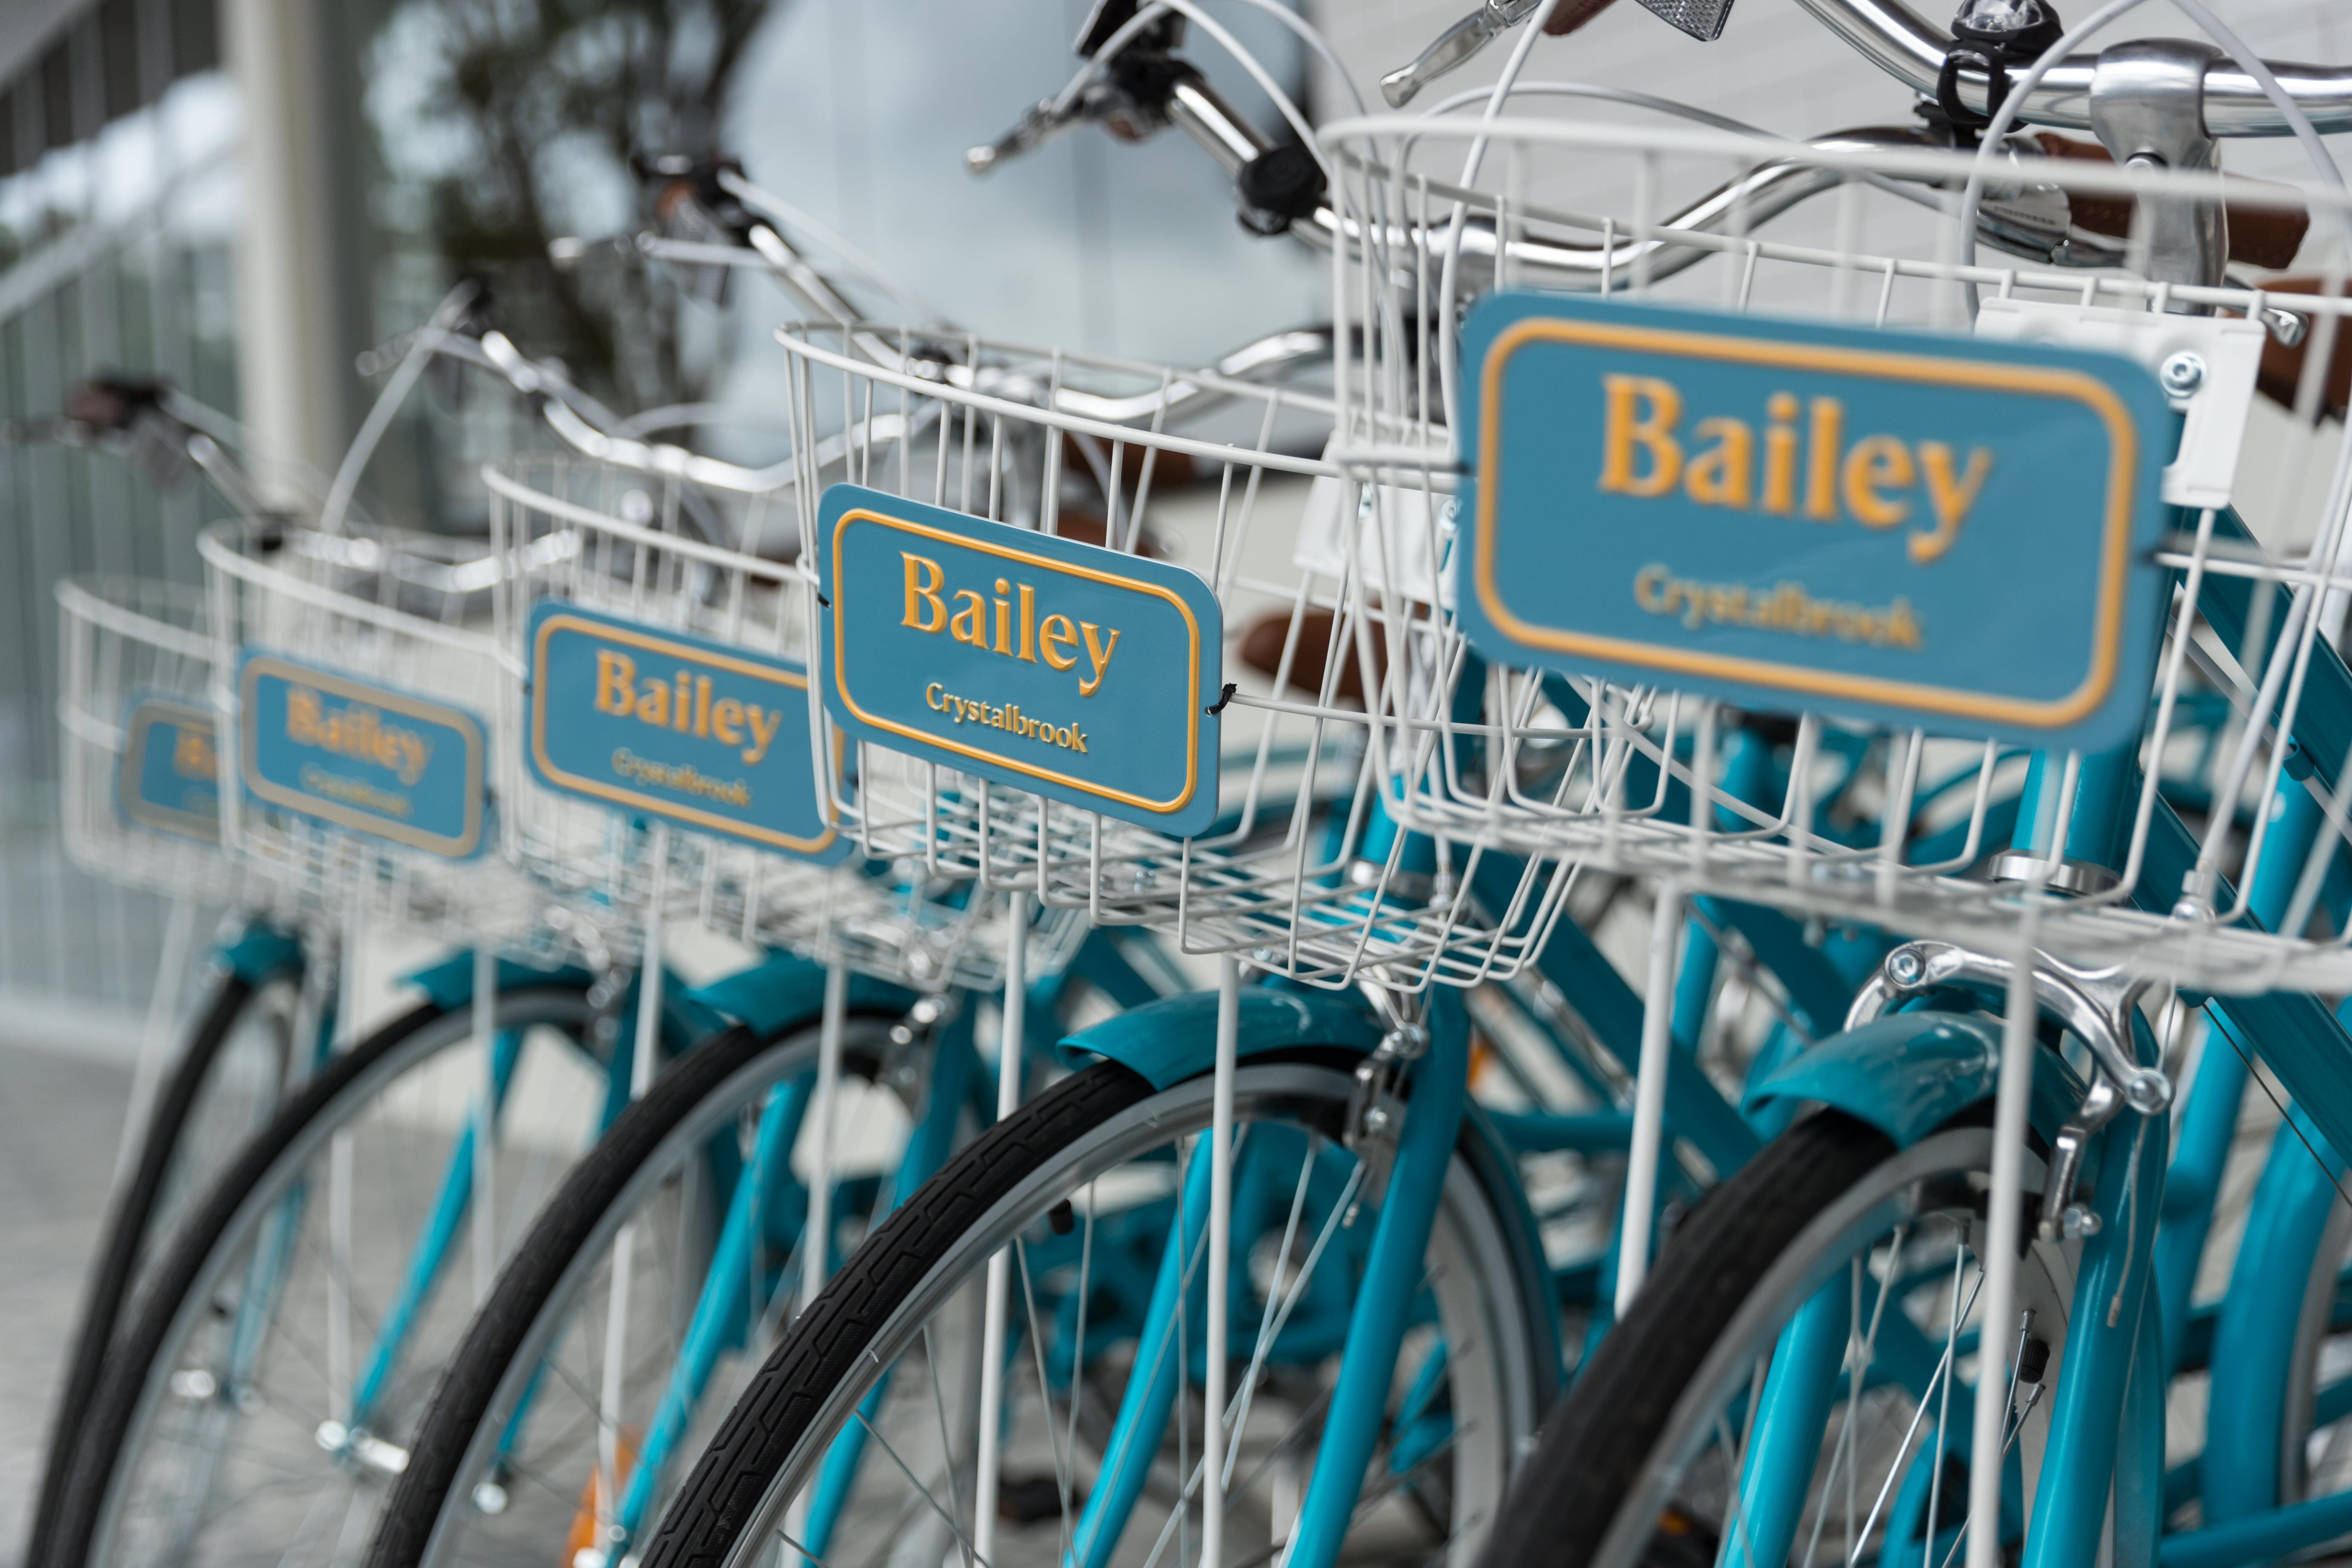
{"points": [[387, 763]]}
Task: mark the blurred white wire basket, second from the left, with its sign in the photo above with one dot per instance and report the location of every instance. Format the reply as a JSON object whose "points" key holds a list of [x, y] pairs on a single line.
{"points": [[387, 631]]}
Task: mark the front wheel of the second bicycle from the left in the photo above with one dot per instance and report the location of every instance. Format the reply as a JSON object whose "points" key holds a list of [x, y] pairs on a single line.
{"points": [[260, 1398]]}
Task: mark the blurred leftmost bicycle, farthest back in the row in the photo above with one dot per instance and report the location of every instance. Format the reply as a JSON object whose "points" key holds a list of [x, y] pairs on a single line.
{"points": [[142, 808]]}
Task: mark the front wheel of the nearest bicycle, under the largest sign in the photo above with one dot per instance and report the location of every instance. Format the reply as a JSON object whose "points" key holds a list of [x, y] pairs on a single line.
{"points": [[1786, 1391]]}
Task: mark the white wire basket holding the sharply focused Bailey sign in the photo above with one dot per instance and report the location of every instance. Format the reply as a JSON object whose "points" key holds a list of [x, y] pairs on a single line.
{"points": [[1222, 474]]}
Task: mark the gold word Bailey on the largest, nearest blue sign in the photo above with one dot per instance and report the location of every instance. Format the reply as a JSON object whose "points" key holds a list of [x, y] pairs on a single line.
{"points": [[1878, 481]]}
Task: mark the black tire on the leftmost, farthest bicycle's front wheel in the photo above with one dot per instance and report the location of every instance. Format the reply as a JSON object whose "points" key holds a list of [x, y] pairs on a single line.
{"points": [[126, 1240]]}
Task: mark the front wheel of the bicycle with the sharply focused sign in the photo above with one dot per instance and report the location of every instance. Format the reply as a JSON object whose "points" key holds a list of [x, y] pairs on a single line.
{"points": [[860, 1433]]}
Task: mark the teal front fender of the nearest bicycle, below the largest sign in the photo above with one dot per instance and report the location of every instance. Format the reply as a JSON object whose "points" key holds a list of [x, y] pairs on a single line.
{"points": [[1911, 1073]]}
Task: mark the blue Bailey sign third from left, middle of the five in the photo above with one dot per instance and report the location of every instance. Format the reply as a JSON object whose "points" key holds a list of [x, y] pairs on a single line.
{"points": [[697, 732]]}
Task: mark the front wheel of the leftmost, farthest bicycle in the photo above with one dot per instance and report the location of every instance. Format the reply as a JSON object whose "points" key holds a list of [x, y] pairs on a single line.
{"points": [[218, 1094]]}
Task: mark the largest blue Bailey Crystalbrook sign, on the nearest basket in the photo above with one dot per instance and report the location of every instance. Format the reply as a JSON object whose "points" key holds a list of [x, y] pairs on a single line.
{"points": [[1890, 525]]}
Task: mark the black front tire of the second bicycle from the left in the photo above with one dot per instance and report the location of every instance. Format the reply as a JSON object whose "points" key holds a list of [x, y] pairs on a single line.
{"points": [[126, 1388]]}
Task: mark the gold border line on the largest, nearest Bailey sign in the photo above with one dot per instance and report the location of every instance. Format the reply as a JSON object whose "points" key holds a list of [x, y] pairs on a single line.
{"points": [[1885, 366]]}
